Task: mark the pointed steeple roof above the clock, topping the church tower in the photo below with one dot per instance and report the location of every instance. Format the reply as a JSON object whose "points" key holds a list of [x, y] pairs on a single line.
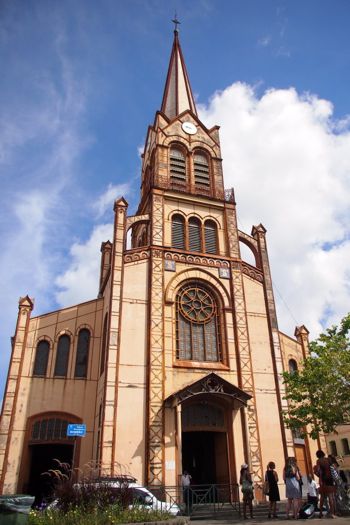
{"points": [[178, 96]]}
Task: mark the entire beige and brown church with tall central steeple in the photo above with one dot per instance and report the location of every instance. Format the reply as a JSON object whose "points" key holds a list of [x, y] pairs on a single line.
{"points": [[176, 365]]}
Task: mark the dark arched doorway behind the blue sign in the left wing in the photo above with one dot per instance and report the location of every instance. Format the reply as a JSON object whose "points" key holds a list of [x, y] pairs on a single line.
{"points": [[48, 448]]}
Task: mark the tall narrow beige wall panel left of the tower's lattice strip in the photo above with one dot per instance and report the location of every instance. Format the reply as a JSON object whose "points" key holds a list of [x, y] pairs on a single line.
{"points": [[132, 376]]}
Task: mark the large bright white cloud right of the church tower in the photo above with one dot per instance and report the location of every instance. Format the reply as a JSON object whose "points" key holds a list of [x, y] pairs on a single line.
{"points": [[288, 161]]}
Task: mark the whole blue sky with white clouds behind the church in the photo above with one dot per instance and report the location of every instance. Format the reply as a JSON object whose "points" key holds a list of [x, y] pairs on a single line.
{"points": [[81, 81]]}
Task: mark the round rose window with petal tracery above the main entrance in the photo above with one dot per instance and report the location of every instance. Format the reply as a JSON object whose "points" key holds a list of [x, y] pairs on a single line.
{"points": [[196, 304]]}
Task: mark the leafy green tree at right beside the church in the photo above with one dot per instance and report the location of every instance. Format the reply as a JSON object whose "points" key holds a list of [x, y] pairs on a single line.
{"points": [[318, 393]]}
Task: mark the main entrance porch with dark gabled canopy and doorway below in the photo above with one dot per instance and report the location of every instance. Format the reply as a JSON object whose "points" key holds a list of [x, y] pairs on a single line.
{"points": [[204, 426]]}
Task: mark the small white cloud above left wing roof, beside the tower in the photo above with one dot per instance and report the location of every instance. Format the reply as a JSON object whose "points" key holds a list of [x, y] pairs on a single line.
{"points": [[80, 281]]}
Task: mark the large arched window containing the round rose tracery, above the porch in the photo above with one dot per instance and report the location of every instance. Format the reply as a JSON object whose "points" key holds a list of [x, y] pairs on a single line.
{"points": [[197, 324]]}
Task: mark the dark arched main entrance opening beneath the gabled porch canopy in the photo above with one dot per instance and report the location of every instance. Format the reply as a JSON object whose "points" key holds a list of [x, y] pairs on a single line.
{"points": [[204, 442]]}
